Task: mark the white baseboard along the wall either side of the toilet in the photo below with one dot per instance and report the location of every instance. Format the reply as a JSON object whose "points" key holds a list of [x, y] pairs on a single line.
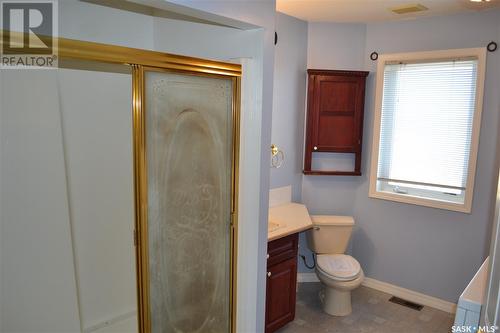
{"points": [[388, 288]]}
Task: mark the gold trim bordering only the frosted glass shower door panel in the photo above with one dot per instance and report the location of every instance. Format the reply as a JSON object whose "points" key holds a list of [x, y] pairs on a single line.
{"points": [[141, 190]]}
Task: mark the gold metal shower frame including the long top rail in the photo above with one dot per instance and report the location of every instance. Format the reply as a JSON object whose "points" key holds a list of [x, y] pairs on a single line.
{"points": [[140, 60]]}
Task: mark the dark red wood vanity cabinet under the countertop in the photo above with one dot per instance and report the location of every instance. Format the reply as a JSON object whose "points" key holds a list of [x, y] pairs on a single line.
{"points": [[281, 282]]}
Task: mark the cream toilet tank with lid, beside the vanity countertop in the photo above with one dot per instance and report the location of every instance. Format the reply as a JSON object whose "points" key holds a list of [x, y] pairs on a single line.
{"points": [[330, 234]]}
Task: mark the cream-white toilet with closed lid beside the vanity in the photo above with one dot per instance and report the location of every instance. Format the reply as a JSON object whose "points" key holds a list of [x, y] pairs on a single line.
{"points": [[339, 273]]}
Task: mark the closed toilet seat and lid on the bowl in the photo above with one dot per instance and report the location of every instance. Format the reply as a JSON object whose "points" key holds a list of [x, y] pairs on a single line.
{"points": [[340, 267]]}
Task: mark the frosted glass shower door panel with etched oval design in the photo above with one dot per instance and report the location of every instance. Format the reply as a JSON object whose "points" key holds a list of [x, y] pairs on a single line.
{"points": [[189, 163]]}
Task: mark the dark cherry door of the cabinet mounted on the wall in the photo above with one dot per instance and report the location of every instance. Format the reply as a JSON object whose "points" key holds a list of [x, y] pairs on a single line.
{"points": [[337, 109]]}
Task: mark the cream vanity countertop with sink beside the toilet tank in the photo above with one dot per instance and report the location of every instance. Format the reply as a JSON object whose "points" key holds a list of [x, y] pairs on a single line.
{"points": [[287, 219]]}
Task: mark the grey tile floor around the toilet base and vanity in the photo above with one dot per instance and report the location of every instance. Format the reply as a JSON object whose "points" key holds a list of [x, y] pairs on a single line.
{"points": [[372, 313]]}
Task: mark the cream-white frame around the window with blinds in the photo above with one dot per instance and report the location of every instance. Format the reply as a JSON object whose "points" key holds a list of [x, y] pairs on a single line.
{"points": [[421, 57]]}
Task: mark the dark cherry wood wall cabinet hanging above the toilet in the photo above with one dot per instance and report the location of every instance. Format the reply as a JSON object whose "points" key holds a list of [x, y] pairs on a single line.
{"points": [[335, 107]]}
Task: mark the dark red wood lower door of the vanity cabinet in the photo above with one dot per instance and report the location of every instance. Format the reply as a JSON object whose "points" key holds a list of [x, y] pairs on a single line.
{"points": [[280, 294]]}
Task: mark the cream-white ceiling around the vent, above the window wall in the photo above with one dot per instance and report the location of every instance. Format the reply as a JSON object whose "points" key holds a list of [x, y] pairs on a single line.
{"points": [[373, 10]]}
